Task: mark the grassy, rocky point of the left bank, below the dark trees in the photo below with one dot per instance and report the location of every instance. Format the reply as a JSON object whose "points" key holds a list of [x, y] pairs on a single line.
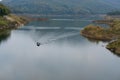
{"points": [[12, 21]]}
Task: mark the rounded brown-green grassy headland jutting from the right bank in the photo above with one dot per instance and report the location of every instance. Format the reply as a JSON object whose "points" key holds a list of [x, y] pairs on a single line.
{"points": [[97, 32]]}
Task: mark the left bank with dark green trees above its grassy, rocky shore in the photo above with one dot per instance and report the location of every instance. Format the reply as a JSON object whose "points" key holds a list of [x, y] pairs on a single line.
{"points": [[10, 21]]}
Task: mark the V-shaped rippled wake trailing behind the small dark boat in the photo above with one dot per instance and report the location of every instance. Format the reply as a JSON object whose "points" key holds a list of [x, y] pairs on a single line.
{"points": [[49, 37]]}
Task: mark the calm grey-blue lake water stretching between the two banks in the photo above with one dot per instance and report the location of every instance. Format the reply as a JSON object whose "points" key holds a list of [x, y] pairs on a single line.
{"points": [[63, 55]]}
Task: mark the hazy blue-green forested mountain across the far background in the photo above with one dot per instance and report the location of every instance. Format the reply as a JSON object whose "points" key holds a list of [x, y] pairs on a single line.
{"points": [[59, 7]]}
